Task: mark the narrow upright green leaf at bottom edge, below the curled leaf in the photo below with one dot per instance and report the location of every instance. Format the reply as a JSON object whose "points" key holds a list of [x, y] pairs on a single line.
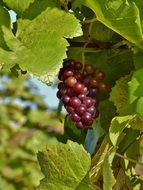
{"points": [[108, 177]]}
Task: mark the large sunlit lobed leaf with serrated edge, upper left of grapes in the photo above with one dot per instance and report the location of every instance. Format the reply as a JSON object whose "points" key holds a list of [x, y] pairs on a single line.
{"points": [[39, 47]]}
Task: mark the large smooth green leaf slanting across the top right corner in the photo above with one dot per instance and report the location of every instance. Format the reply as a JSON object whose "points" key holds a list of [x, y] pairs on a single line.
{"points": [[120, 16]]}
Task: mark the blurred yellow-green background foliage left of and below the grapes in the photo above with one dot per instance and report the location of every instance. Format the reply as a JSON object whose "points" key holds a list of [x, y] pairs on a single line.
{"points": [[26, 125]]}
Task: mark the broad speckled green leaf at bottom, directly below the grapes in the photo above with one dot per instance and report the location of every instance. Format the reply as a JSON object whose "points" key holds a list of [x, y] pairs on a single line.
{"points": [[64, 167]]}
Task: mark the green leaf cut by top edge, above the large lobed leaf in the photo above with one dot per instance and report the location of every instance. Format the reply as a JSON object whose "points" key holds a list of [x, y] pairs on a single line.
{"points": [[18, 6]]}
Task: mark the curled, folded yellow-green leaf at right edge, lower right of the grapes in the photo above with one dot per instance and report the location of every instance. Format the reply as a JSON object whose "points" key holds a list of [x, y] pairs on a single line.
{"points": [[118, 124]]}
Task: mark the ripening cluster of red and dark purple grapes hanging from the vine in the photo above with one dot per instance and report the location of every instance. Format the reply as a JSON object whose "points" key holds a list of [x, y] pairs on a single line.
{"points": [[79, 91]]}
